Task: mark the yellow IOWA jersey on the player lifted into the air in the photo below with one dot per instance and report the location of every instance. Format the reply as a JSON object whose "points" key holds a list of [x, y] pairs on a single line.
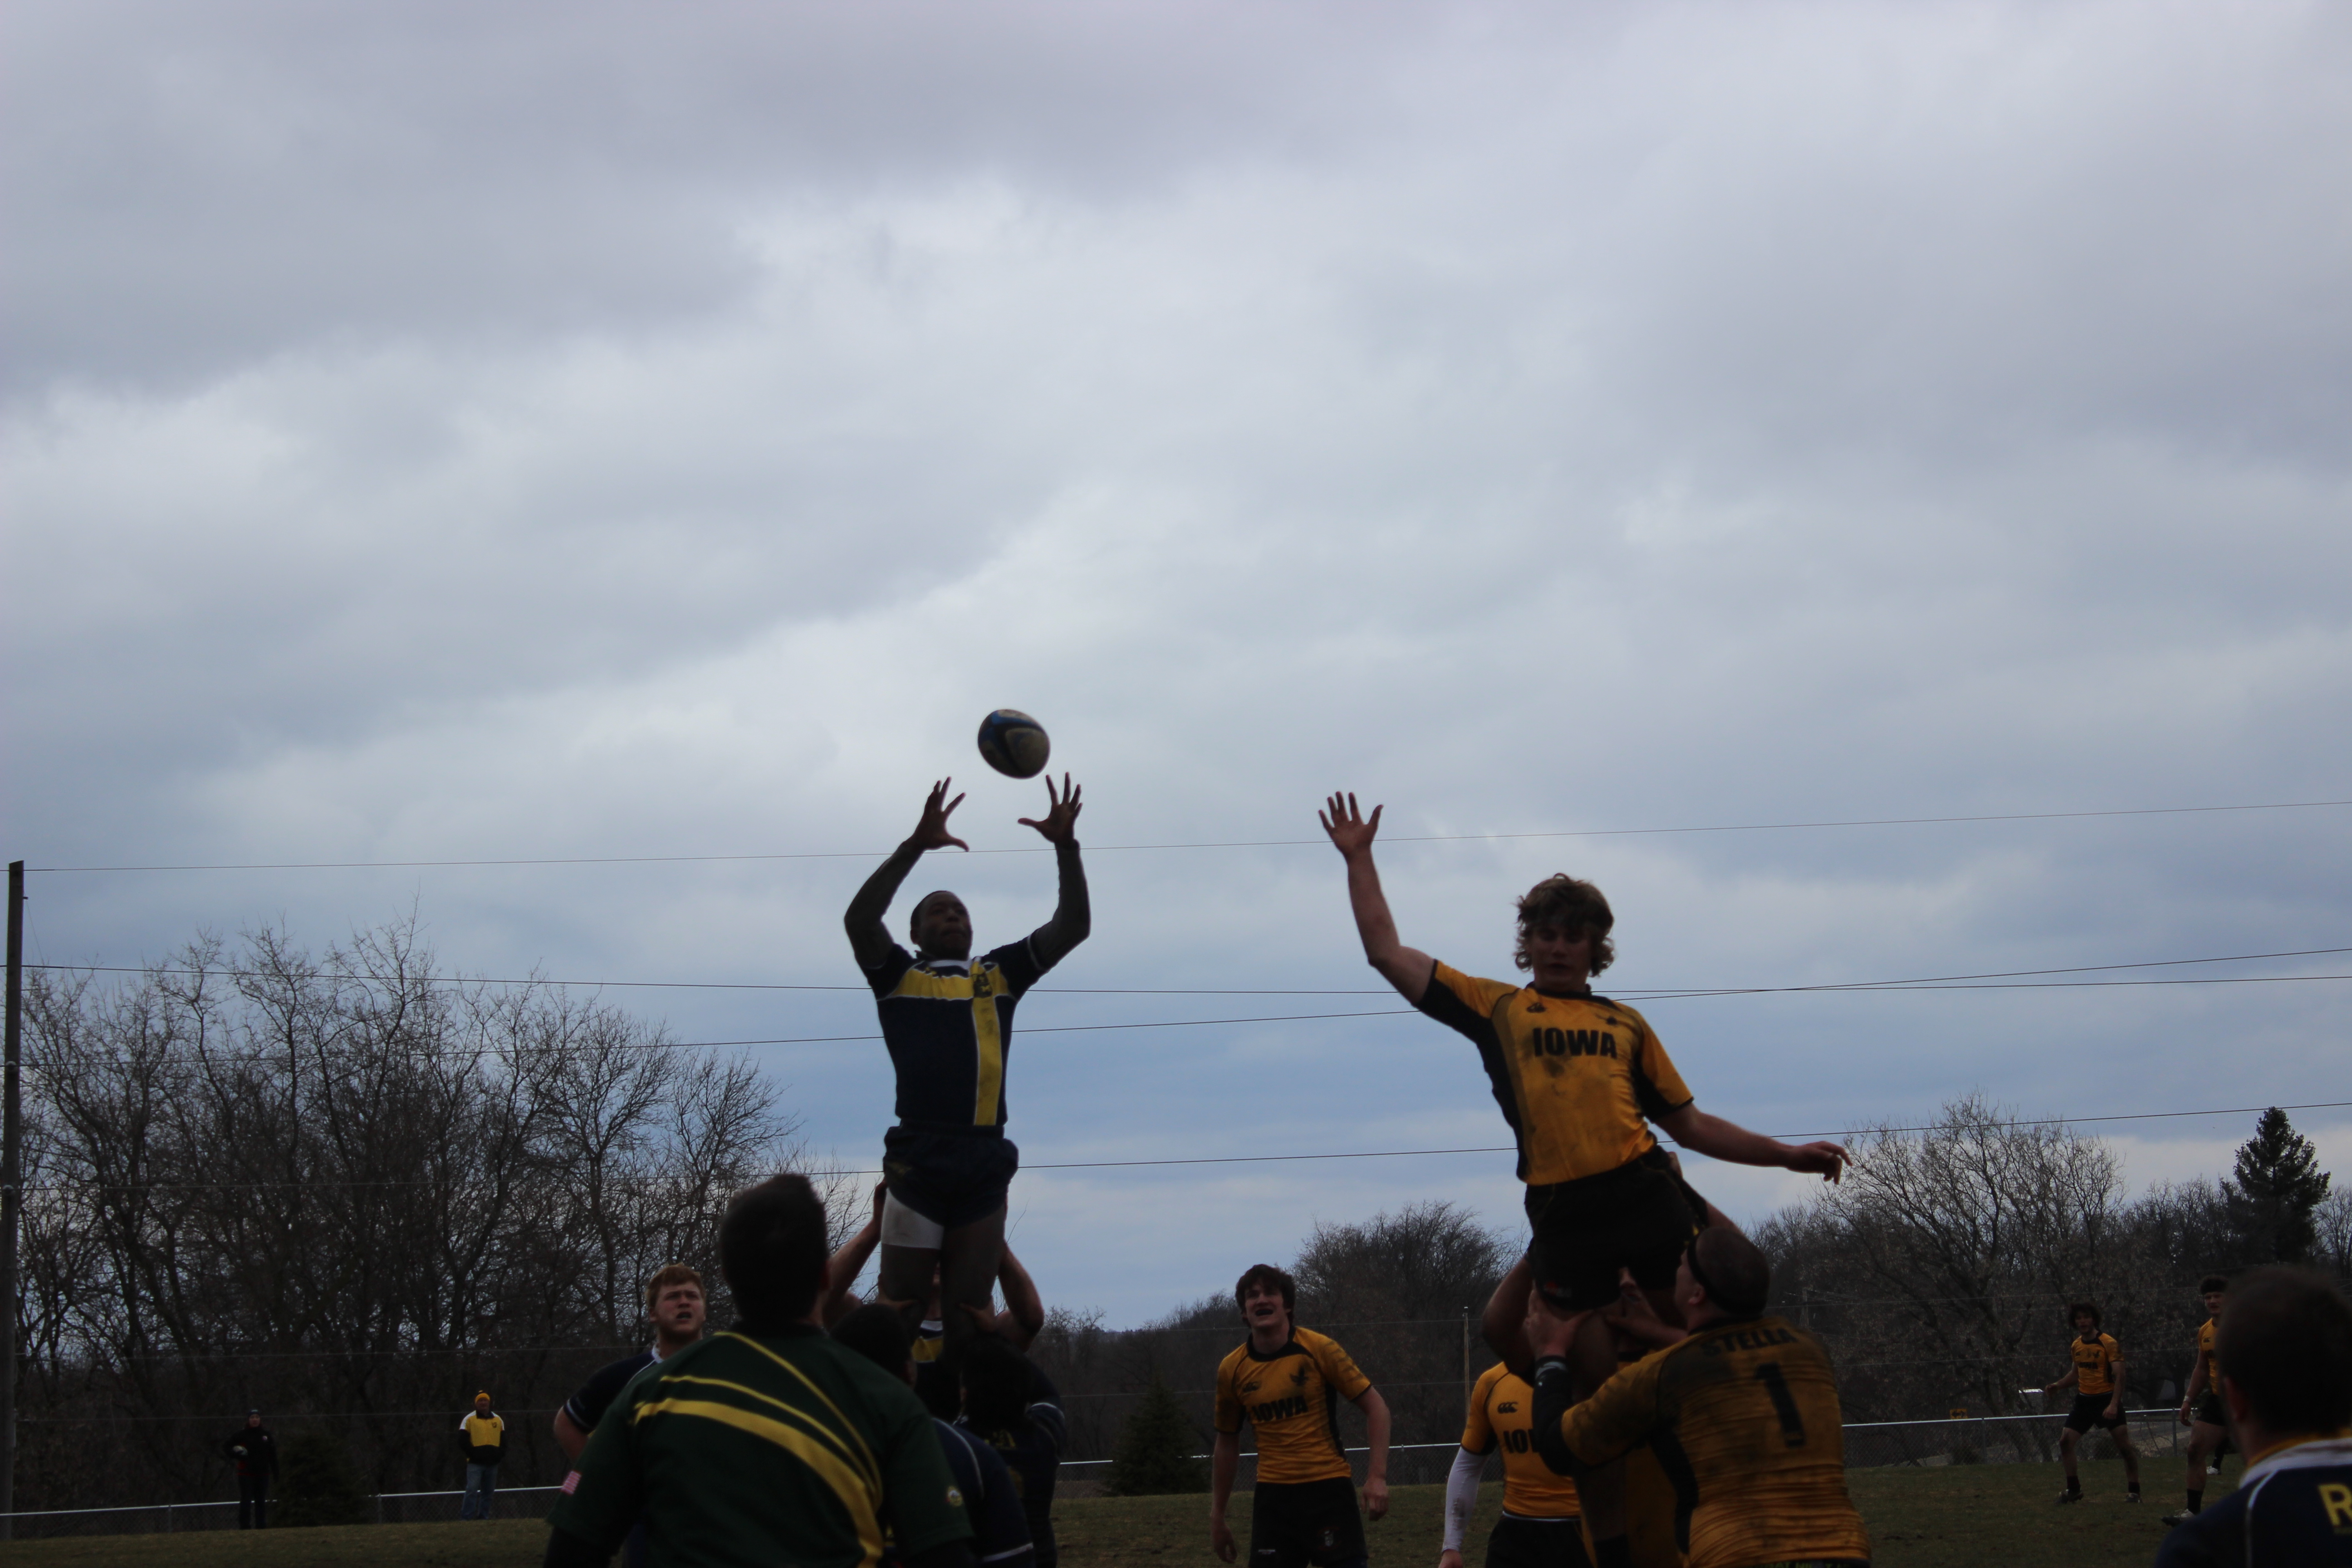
{"points": [[1577, 1078]]}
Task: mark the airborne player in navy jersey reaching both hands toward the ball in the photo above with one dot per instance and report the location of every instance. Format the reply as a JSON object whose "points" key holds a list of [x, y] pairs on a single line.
{"points": [[947, 1021]]}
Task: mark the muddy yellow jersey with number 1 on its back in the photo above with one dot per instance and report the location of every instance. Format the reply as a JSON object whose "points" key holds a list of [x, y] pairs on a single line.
{"points": [[1746, 1426]]}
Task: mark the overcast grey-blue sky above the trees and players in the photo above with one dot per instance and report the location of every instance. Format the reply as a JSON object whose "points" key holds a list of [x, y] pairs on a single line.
{"points": [[509, 431]]}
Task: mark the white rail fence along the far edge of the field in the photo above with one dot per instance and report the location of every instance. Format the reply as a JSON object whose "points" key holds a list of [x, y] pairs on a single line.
{"points": [[1953, 1440]]}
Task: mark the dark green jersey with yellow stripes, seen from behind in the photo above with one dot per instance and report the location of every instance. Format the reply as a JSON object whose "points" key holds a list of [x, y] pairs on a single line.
{"points": [[766, 1449]]}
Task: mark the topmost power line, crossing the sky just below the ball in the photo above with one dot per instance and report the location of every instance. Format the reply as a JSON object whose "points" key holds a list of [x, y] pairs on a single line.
{"points": [[1038, 850]]}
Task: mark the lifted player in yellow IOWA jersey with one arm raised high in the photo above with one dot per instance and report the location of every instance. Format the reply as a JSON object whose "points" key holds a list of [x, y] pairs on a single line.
{"points": [[1582, 1080]]}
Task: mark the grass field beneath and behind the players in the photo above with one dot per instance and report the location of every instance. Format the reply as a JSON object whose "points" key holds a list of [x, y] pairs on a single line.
{"points": [[1953, 1517]]}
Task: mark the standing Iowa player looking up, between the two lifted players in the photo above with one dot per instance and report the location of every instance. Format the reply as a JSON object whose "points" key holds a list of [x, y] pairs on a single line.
{"points": [[1288, 1383]]}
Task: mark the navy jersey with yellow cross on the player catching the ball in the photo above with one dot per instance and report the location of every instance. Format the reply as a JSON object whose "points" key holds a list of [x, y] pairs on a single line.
{"points": [[949, 1031]]}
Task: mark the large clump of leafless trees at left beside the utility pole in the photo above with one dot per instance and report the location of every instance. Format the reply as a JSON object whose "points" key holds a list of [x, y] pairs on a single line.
{"points": [[352, 1193]]}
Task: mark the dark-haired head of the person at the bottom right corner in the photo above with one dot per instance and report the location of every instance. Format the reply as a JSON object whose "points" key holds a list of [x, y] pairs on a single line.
{"points": [[2285, 1341]]}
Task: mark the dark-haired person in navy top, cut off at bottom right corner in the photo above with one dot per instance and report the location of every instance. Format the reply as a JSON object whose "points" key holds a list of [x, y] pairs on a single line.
{"points": [[2285, 1355]]}
